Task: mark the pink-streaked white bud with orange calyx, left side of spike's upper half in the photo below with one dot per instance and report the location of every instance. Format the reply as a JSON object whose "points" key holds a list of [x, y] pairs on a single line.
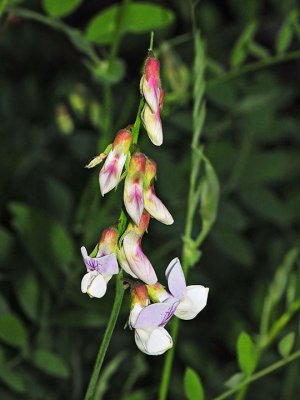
{"points": [[111, 171]]}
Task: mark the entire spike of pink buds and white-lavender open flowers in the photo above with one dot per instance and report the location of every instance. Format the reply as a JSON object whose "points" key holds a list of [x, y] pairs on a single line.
{"points": [[152, 306]]}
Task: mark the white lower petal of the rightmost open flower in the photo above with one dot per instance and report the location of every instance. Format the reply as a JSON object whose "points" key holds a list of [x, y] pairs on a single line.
{"points": [[194, 301]]}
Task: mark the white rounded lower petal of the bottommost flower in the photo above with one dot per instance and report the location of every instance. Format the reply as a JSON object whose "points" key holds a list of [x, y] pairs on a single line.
{"points": [[154, 342]]}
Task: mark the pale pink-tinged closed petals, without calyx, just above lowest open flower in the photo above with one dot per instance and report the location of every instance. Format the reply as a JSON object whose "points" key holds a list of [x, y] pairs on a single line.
{"points": [[138, 262]]}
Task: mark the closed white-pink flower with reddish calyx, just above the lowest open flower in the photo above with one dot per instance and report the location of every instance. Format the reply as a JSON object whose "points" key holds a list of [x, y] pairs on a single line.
{"points": [[131, 256]]}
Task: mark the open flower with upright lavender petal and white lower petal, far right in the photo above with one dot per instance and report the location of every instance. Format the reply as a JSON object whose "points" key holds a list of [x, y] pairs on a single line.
{"points": [[192, 299]]}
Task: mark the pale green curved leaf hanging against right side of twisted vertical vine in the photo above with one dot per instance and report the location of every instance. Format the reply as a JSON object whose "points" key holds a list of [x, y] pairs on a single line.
{"points": [[209, 198]]}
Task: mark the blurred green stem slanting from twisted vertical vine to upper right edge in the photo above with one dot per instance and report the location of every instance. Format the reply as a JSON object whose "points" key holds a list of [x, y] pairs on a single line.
{"points": [[265, 63]]}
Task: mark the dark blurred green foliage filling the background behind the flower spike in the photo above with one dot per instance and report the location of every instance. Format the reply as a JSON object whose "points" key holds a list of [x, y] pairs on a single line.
{"points": [[66, 86]]}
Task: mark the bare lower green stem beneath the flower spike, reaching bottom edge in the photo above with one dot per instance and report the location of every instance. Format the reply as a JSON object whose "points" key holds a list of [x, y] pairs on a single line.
{"points": [[106, 338]]}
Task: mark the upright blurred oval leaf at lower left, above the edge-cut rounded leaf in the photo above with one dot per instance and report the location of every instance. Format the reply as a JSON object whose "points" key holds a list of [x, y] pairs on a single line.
{"points": [[27, 292]]}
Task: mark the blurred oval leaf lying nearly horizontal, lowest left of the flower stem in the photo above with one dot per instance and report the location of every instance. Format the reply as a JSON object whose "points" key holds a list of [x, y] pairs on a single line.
{"points": [[50, 363]]}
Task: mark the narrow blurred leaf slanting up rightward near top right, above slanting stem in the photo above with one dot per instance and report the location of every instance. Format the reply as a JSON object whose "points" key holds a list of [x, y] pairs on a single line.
{"points": [[240, 49]]}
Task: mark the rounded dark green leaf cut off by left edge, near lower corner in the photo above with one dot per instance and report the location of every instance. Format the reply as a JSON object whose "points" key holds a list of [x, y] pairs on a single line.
{"points": [[12, 331]]}
